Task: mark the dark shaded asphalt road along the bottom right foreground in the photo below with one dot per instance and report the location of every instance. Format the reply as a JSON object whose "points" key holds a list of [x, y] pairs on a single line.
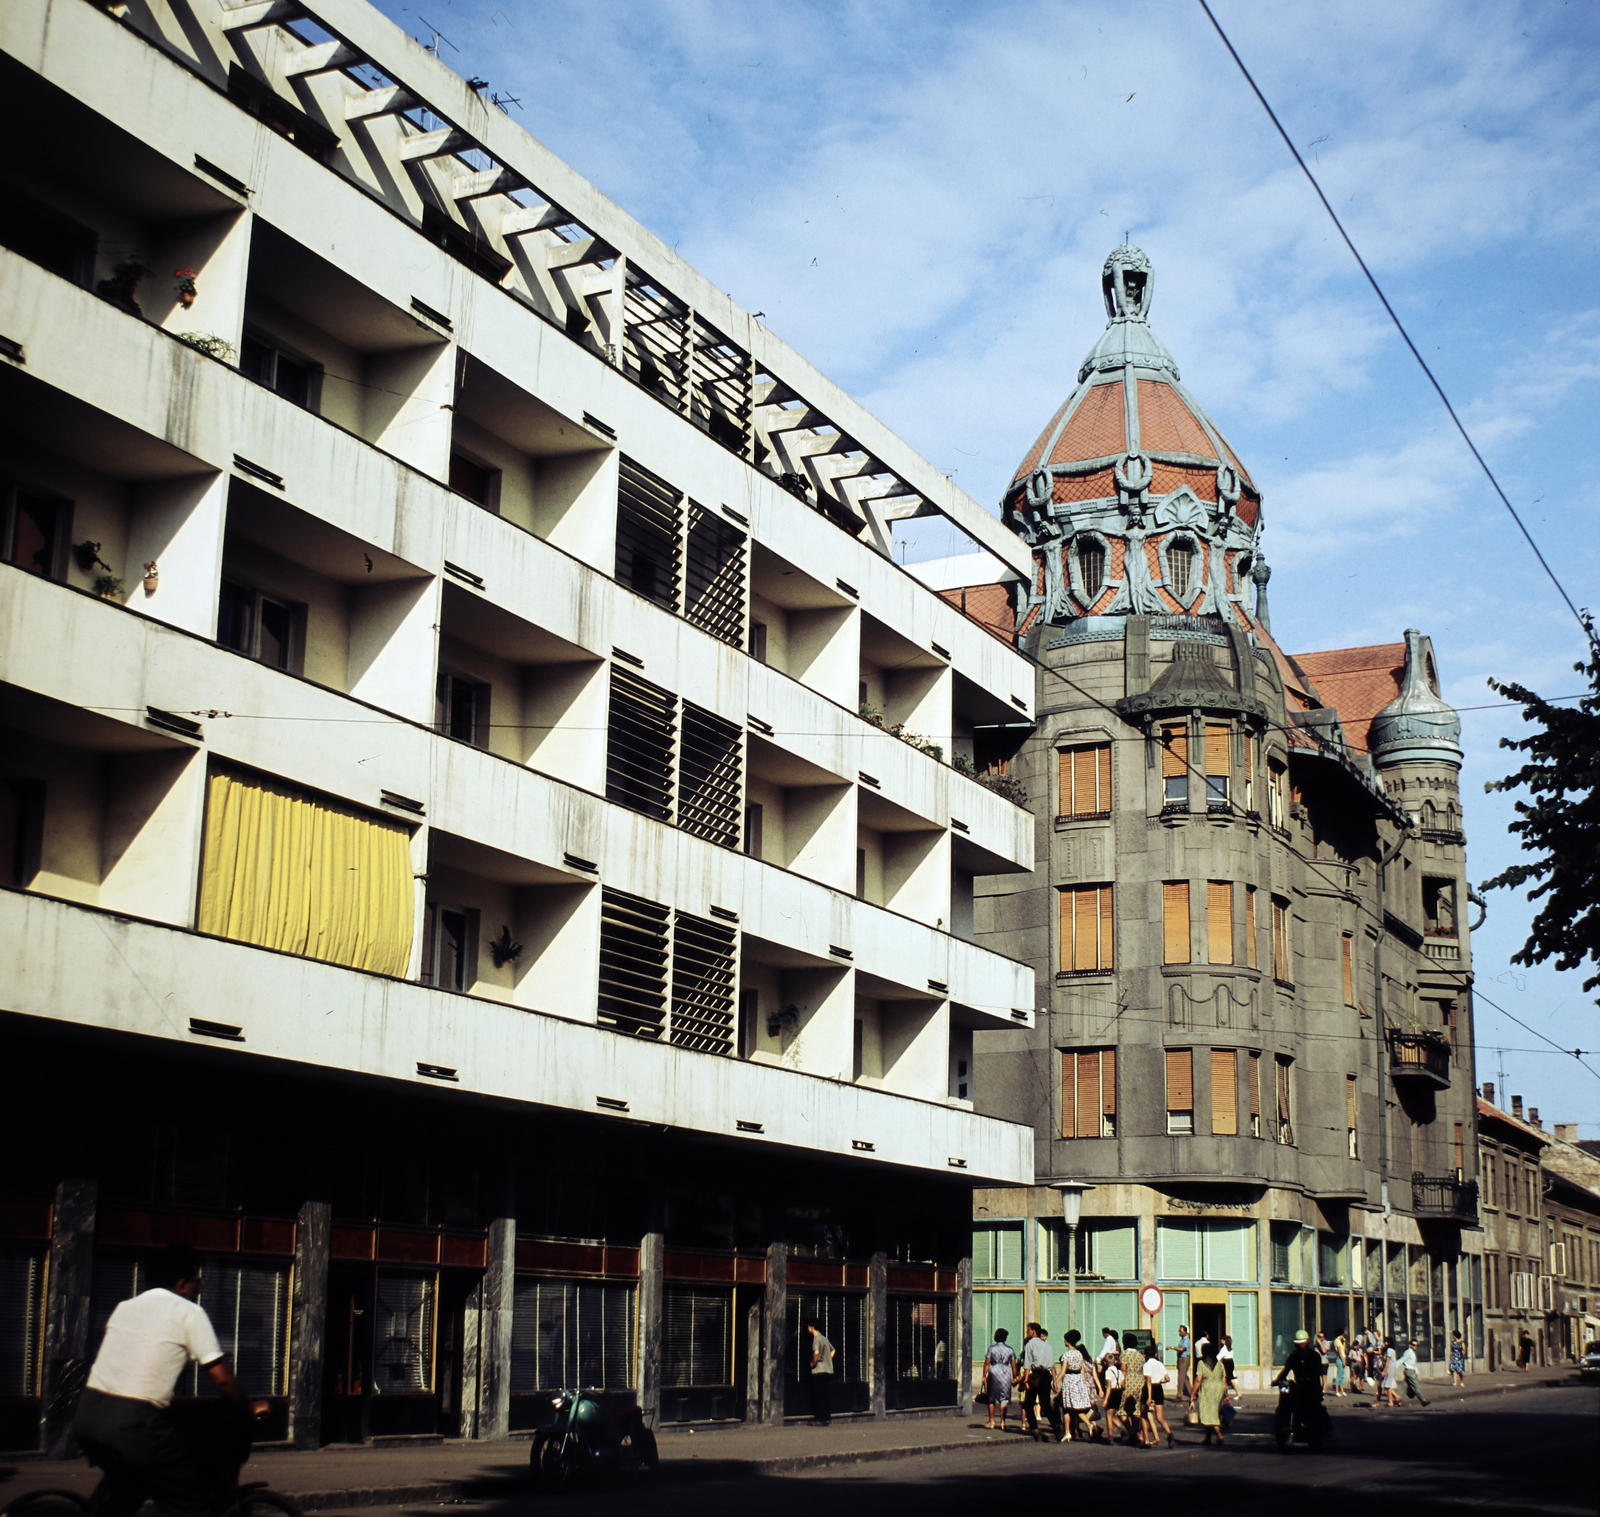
{"points": [[1534, 1452]]}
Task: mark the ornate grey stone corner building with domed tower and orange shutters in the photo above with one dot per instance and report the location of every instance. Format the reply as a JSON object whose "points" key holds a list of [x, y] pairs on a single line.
{"points": [[1255, 1035]]}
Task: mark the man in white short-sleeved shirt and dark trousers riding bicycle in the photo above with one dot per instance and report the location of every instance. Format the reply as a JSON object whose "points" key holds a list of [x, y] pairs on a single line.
{"points": [[126, 1415]]}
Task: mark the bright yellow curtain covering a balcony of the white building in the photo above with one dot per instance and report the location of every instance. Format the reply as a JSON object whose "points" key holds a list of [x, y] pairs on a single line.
{"points": [[292, 873]]}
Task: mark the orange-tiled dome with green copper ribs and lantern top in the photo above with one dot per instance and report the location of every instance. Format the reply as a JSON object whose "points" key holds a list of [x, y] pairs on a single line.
{"points": [[1132, 498]]}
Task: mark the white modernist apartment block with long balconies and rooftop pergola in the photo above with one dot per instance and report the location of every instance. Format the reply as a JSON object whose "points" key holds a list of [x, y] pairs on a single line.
{"points": [[489, 830]]}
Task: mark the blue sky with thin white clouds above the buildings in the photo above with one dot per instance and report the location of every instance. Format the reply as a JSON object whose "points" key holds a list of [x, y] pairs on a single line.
{"points": [[921, 199]]}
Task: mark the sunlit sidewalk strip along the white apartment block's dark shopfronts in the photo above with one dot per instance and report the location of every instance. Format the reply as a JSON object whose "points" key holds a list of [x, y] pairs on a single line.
{"points": [[351, 1476]]}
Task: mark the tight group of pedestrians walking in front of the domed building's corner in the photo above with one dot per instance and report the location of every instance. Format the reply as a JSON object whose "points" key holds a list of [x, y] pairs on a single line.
{"points": [[1116, 1396]]}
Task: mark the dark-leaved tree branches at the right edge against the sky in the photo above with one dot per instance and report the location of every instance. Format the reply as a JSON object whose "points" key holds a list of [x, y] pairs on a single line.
{"points": [[1561, 825]]}
